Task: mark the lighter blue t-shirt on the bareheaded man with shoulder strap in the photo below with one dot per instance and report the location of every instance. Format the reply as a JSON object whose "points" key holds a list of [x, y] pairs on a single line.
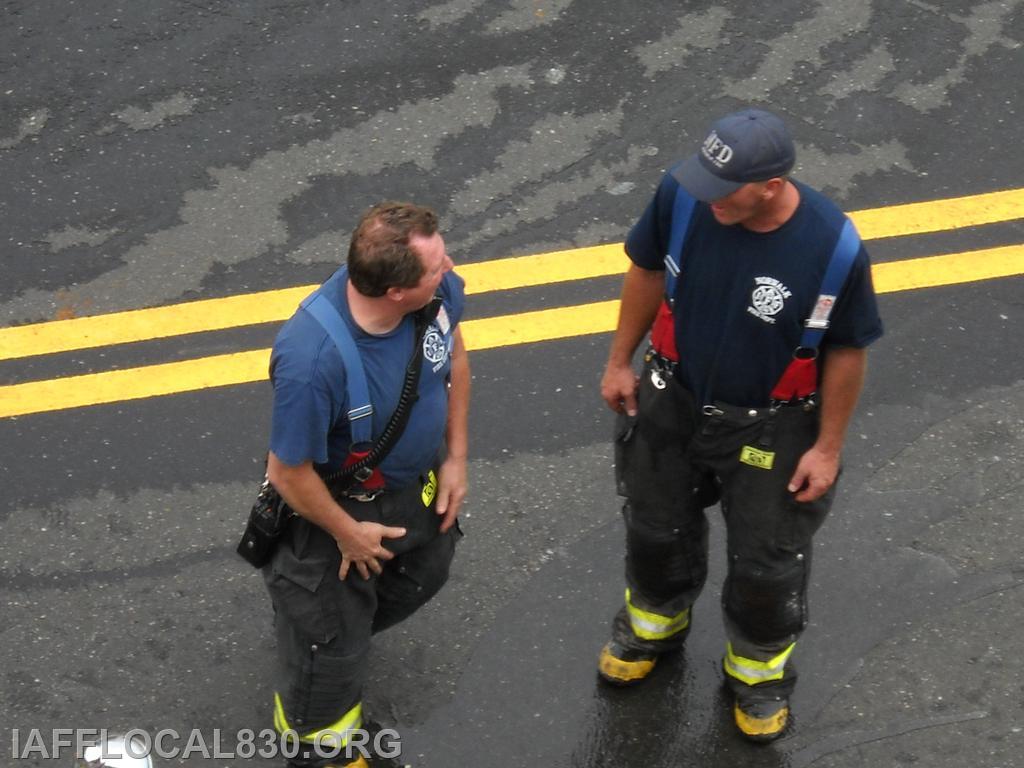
{"points": [[311, 402]]}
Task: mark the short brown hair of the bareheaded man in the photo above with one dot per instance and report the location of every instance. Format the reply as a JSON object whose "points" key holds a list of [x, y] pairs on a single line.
{"points": [[379, 255]]}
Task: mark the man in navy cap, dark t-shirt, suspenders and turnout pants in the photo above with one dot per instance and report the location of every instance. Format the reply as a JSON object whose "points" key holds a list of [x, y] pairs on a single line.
{"points": [[765, 309]]}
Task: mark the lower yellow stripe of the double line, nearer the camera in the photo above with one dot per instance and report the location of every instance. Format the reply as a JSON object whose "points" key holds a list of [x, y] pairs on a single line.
{"points": [[489, 333]]}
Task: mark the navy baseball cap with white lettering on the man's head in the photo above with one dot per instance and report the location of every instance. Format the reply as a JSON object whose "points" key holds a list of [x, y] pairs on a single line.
{"points": [[744, 147]]}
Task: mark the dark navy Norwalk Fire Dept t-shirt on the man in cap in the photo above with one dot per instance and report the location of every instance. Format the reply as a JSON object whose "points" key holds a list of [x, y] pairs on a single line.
{"points": [[743, 297]]}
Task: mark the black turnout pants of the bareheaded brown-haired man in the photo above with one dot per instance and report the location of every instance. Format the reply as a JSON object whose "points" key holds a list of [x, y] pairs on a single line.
{"points": [[324, 625]]}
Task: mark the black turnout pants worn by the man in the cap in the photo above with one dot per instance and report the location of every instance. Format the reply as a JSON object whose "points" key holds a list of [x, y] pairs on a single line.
{"points": [[675, 459]]}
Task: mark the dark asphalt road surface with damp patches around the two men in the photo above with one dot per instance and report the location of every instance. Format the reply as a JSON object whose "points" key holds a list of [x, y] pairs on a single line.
{"points": [[158, 153]]}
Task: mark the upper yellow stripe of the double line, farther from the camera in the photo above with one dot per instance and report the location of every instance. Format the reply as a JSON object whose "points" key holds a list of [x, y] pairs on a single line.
{"points": [[523, 272]]}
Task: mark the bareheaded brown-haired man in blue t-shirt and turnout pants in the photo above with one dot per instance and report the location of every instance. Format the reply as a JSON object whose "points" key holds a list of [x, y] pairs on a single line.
{"points": [[361, 558]]}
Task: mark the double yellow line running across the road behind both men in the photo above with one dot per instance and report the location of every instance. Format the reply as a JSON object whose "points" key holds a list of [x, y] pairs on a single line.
{"points": [[524, 272]]}
